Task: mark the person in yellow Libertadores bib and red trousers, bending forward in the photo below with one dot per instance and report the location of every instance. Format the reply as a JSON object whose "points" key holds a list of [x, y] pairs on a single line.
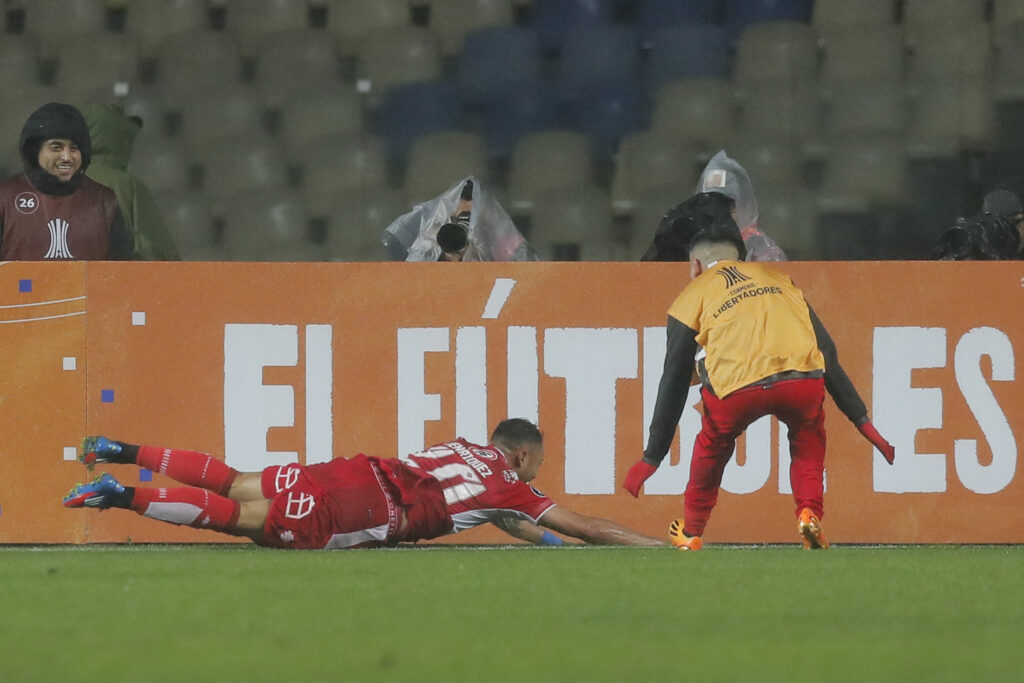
{"points": [[764, 353]]}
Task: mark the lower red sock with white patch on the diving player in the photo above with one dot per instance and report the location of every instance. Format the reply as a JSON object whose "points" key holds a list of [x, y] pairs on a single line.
{"points": [[189, 506]]}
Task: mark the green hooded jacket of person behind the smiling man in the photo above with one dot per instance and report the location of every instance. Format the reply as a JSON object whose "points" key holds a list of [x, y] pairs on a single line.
{"points": [[114, 137]]}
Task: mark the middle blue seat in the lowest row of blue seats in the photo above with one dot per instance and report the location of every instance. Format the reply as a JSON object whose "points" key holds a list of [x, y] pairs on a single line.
{"points": [[517, 112]]}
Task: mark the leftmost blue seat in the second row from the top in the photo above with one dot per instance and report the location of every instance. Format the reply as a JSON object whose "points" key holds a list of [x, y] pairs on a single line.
{"points": [[497, 59]]}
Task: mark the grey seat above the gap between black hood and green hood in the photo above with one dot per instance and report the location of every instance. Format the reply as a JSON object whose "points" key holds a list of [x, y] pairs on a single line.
{"points": [[112, 59]]}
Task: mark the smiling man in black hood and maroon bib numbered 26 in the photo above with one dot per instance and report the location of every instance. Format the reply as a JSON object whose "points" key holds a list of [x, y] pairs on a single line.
{"points": [[53, 210]]}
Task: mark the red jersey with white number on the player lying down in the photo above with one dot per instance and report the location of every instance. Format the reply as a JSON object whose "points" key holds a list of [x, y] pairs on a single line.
{"points": [[480, 487]]}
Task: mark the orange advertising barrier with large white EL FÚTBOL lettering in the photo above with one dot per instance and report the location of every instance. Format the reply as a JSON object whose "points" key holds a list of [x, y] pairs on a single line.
{"points": [[264, 364]]}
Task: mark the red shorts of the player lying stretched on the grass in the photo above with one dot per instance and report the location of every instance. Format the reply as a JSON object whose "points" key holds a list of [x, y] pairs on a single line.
{"points": [[346, 503]]}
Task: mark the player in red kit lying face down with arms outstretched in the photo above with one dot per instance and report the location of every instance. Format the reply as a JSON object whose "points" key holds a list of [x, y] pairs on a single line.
{"points": [[361, 502]]}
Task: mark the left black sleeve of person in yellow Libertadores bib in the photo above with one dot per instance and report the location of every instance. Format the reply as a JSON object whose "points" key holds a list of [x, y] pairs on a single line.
{"points": [[680, 348]]}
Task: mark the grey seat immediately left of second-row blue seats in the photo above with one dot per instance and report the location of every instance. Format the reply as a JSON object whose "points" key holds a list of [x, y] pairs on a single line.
{"points": [[396, 57]]}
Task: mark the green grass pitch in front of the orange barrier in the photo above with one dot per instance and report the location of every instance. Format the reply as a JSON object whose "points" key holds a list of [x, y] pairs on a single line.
{"points": [[237, 613]]}
